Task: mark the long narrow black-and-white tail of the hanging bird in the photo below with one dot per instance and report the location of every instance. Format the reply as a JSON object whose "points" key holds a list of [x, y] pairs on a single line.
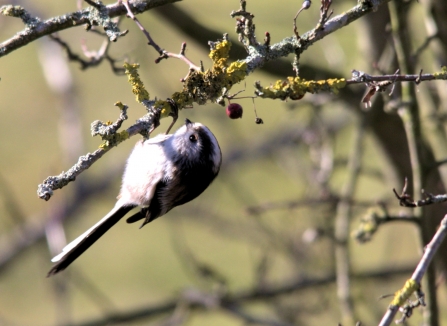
{"points": [[75, 248]]}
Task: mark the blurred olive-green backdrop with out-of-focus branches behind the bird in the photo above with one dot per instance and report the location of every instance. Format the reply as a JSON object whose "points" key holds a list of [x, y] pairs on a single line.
{"points": [[258, 246]]}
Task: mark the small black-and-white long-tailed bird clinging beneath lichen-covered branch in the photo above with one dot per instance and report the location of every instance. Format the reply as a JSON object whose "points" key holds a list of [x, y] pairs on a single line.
{"points": [[161, 173]]}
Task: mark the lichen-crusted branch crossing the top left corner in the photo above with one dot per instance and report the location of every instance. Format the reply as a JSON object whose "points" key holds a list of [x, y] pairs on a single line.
{"points": [[36, 28]]}
